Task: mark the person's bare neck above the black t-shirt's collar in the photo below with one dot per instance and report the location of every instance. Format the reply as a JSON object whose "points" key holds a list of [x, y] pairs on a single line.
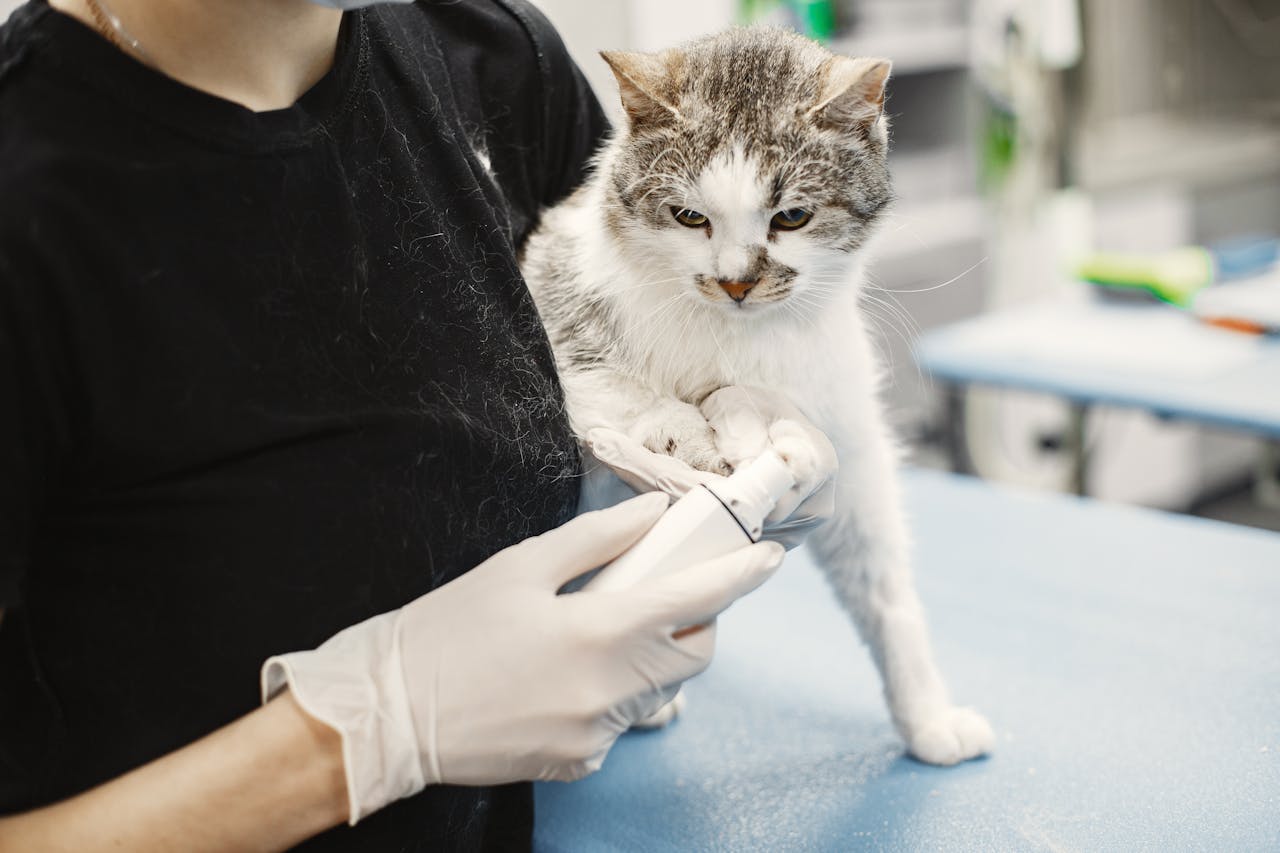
{"points": [[263, 54]]}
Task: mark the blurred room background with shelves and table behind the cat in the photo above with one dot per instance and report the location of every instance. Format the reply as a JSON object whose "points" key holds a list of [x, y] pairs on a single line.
{"points": [[1075, 177]]}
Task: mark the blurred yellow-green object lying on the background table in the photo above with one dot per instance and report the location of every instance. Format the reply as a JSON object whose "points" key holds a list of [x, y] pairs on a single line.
{"points": [[1174, 277]]}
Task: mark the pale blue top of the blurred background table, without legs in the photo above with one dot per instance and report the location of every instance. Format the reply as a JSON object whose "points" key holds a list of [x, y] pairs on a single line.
{"points": [[988, 350]]}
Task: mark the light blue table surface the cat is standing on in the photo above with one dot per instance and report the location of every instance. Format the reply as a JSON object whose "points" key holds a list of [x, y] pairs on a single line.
{"points": [[1130, 662]]}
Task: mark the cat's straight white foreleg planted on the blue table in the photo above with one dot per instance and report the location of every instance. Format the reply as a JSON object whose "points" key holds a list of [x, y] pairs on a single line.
{"points": [[865, 551]]}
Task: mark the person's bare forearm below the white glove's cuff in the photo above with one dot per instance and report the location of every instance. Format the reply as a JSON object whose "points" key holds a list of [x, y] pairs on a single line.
{"points": [[267, 782]]}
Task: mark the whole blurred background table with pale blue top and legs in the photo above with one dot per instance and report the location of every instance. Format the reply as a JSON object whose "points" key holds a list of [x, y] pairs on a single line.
{"points": [[1091, 353]]}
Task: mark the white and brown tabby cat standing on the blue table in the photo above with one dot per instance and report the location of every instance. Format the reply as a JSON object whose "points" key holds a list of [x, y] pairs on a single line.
{"points": [[716, 243]]}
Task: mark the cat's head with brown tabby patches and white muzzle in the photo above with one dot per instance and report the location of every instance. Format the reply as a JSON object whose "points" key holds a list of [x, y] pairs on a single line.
{"points": [[753, 165]]}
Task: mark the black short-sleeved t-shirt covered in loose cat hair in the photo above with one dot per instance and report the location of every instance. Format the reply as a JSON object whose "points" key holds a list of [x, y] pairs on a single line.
{"points": [[264, 376]]}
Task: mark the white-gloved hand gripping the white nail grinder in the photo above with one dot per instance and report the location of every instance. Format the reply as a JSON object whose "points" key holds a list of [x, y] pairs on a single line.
{"points": [[495, 678]]}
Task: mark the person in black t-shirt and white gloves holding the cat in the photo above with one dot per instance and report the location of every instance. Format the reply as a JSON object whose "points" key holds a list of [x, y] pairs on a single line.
{"points": [[272, 382]]}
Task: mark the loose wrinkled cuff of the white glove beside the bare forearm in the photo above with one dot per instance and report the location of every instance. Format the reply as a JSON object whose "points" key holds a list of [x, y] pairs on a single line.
{"points": [[353, 683]]}
